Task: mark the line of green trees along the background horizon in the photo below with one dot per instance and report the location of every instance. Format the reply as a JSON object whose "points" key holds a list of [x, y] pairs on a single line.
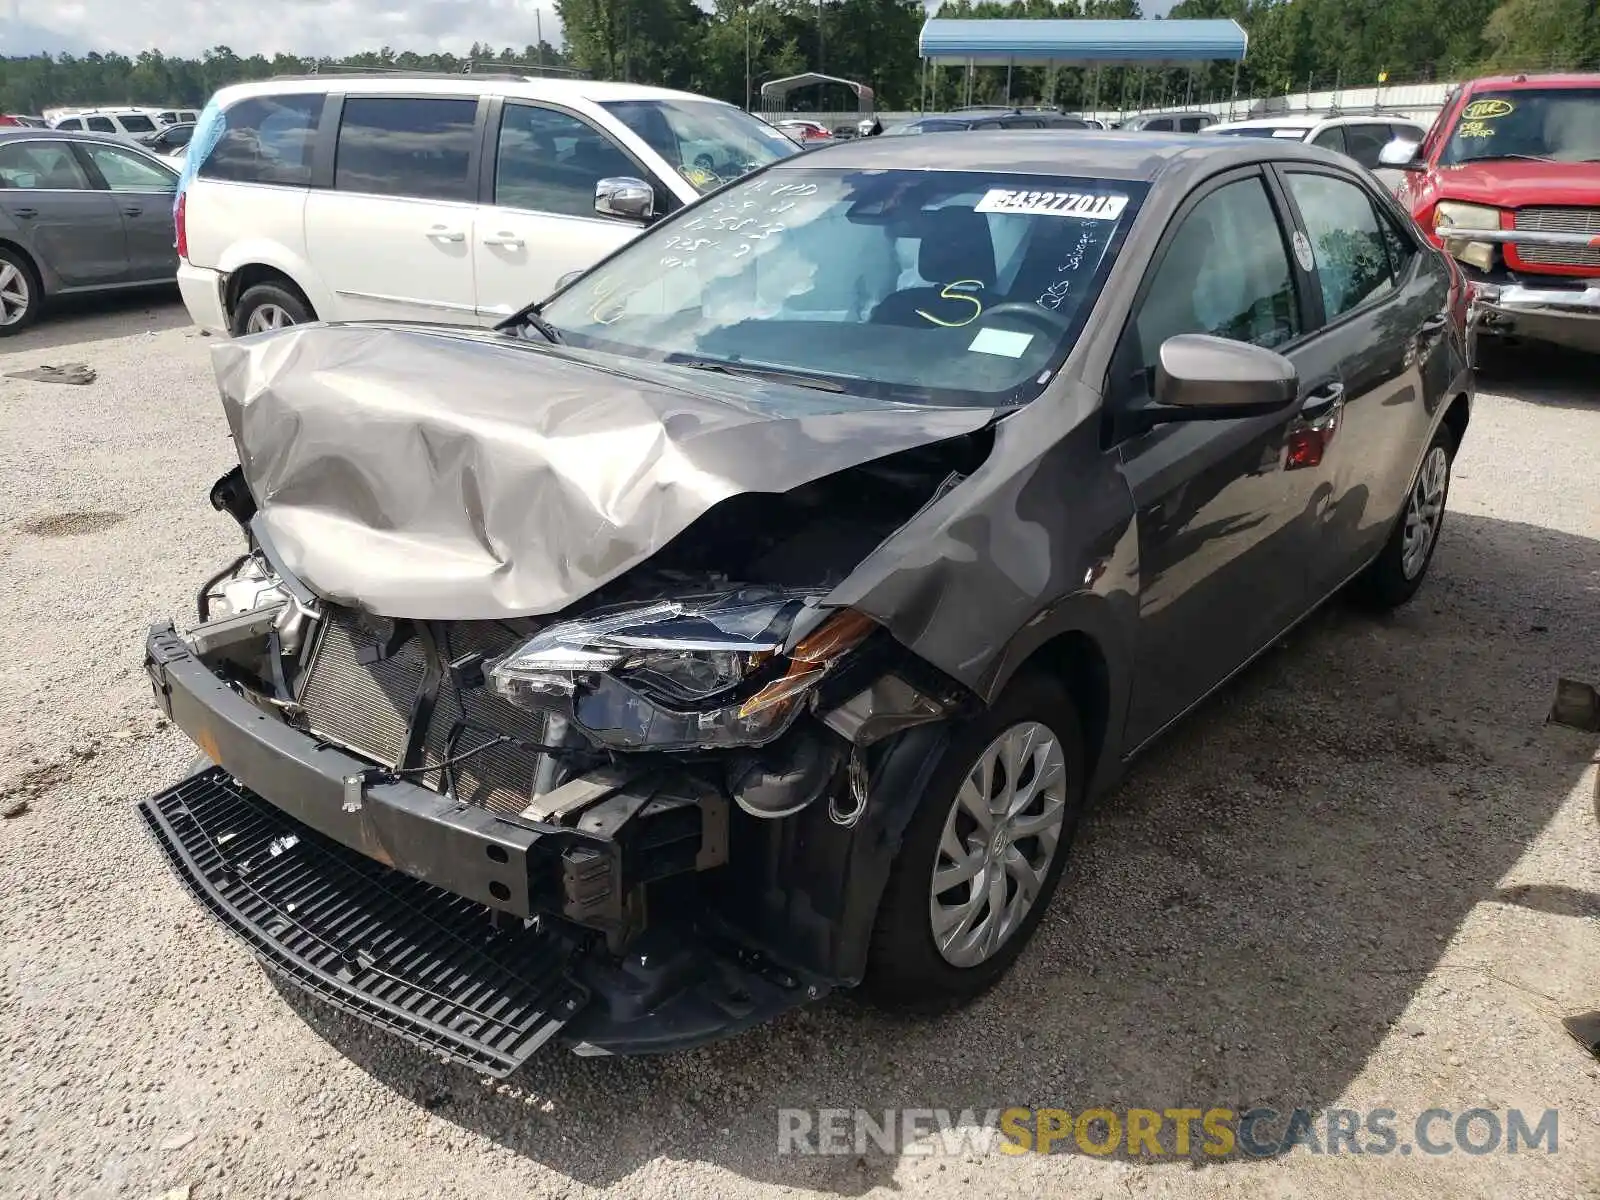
{"points": [[735, 47]]}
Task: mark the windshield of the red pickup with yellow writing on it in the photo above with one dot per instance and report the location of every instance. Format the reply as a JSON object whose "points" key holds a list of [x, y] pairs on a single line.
{"points": [[1556, 124]]}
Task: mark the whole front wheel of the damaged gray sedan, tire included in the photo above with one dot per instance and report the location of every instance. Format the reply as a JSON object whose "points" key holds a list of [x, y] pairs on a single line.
{"points": [[983, 854]]}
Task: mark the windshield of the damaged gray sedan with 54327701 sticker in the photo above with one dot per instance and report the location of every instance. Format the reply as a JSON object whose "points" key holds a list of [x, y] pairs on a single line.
{"points": [[929, 287]]}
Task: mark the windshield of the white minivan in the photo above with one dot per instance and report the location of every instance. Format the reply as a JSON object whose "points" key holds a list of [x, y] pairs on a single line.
{"points": [[705, 142]]}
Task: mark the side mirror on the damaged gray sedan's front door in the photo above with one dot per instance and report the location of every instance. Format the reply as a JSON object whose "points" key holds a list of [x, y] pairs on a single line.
{"points": [[1202, 378]]}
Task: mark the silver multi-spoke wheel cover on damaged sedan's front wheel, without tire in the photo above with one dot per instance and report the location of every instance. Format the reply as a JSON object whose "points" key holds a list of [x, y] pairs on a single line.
{"points": [[999, 842]]}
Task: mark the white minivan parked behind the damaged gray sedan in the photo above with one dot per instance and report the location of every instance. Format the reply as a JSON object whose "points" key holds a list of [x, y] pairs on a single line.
{"points": [[458, 199]]}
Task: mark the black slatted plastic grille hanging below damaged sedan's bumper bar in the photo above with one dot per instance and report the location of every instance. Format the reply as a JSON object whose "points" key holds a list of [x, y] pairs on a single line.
{"points": [[394, 951]]}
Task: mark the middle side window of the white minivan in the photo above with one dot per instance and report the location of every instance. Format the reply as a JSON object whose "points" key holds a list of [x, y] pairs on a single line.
{"points": [[418, 148]]}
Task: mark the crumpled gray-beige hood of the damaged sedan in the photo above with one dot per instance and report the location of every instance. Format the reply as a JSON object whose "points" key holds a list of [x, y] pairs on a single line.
{"points": [[454, 474]]}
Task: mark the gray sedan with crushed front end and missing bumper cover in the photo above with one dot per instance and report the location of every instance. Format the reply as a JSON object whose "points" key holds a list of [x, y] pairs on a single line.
{"points": [[756, 617]]}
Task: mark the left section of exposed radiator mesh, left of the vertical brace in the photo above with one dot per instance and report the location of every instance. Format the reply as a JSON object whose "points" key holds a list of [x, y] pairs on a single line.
{"points": [[364, 706]]}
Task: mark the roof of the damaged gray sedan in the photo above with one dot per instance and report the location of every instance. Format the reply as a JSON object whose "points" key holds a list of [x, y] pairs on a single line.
{"points": [[1070, 153]]}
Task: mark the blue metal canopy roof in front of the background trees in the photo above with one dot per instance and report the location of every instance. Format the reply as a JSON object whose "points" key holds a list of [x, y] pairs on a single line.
{"points": [[1140, 44]]}
